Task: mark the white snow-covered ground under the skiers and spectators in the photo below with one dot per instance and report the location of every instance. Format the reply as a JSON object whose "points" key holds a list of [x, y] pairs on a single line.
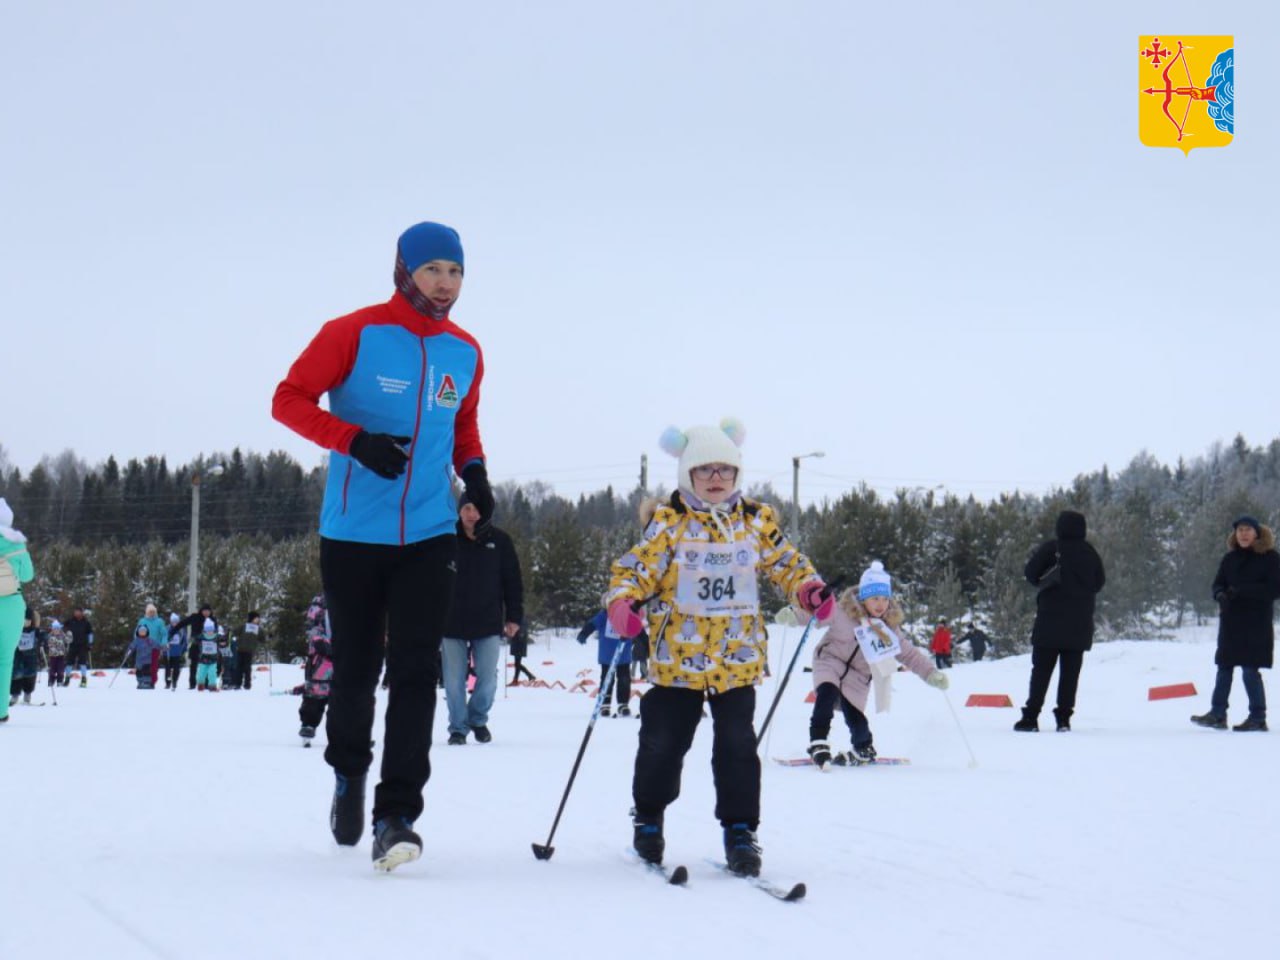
{"points": [[181, 825]]}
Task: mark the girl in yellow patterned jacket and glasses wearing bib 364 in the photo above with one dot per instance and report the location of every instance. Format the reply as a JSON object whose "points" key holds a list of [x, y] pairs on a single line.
{"points": [[700, 563]]}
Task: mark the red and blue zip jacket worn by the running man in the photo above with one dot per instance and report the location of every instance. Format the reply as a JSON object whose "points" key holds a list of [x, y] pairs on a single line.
{"points": [[388, 369]]}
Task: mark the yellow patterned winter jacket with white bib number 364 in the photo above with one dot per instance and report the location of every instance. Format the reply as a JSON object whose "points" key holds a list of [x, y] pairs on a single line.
{"points": [[702, 566]]}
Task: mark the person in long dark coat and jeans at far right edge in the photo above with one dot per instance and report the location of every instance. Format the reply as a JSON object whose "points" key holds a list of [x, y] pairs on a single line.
{"points": [[1246, 589]]}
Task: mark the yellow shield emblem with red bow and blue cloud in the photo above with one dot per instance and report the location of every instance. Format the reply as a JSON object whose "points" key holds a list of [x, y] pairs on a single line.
{"points": [[1186, 92]]}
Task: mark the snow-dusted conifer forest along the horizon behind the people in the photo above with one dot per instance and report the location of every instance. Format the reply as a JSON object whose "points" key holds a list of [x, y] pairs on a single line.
{"points": [[112, 538]]}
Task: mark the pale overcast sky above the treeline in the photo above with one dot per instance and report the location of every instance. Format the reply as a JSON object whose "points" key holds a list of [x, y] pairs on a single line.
{"points": [[924, 239]]}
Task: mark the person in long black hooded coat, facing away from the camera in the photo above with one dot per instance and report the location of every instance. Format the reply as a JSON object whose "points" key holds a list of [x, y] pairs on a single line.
{"points": [[1069, 574]]}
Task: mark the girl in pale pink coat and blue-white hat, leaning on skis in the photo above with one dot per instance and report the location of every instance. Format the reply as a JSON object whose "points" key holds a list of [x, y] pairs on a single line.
{"points": [[862, 648]]}
